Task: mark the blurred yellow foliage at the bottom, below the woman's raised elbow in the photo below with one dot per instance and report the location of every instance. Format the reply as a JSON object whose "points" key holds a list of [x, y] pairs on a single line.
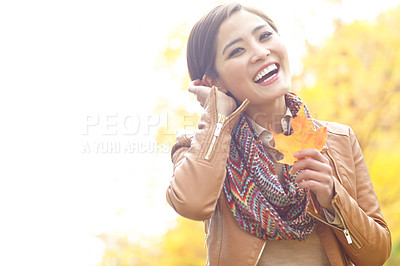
{"points": [[181, 245]]}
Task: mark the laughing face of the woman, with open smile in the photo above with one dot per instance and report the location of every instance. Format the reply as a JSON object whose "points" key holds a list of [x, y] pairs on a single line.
{"points": [[251, 59]]}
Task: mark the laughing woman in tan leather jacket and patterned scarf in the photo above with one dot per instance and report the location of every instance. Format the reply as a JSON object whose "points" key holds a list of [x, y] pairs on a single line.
{"points": [[321, 211]]}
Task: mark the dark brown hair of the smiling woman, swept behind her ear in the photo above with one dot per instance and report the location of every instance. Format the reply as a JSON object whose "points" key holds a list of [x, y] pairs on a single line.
{"points": [[201, 48]]}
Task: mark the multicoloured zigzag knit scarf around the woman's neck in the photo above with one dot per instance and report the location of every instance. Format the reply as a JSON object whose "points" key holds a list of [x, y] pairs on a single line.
{"points": [[260, 204]]}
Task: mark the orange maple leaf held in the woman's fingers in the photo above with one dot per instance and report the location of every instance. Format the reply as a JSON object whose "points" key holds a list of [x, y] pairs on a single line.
{"points": [[303, 137]]}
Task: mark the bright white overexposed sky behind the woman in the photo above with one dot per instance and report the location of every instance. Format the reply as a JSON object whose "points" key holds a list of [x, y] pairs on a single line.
{"points": [[76, 74]]}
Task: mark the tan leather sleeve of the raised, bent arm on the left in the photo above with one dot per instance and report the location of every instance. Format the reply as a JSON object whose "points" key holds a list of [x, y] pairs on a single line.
{"points": [[200, 163]]}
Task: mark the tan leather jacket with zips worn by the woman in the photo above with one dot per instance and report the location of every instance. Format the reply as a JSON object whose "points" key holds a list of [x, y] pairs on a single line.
{"points": [[195, 192]]}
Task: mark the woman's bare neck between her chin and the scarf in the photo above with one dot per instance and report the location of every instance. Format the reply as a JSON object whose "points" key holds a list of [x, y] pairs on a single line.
{"points": [[269, 115]]}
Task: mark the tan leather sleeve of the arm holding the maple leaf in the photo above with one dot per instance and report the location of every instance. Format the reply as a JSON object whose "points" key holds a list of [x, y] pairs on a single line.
{"points": [[368, 232]]}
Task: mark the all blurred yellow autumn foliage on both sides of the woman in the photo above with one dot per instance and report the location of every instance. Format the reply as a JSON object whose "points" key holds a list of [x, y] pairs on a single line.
{"points": [[354, 78]]}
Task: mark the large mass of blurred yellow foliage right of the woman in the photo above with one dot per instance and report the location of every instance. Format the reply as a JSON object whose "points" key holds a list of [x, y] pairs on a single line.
{"points": [[354, 78]]}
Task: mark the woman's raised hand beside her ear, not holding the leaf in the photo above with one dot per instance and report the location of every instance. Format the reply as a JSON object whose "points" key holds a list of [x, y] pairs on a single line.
{"points": [[225, 104]]}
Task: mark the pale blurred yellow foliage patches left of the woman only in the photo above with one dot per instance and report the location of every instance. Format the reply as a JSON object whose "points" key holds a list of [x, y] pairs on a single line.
{"points": [[183, 244]]}
